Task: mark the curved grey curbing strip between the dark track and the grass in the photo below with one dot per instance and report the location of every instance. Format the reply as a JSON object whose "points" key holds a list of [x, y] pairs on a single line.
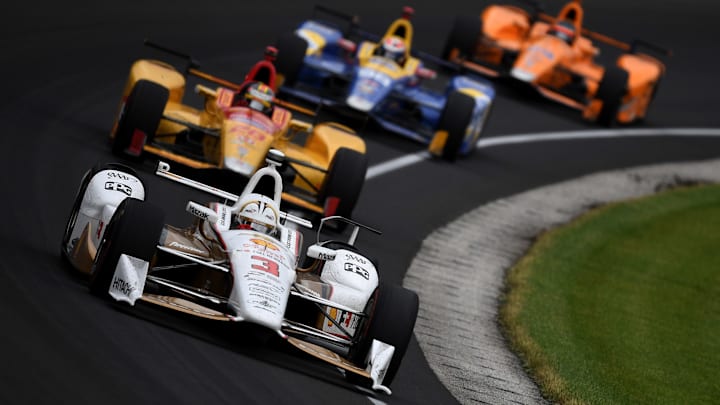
{"points": [[460, 268]]}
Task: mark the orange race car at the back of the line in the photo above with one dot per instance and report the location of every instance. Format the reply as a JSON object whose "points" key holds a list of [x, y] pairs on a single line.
{"points": [[557, 56]]}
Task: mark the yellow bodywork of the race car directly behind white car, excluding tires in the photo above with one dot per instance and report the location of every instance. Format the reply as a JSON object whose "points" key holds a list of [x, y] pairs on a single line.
{"points": [[243, 136]]}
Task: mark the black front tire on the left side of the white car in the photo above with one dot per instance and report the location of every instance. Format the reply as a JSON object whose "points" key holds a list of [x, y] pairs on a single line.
{"points": [[134, 230]]}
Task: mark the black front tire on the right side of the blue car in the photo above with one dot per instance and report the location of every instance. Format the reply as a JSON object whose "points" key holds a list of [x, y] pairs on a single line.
{"points": [[455, 119]]}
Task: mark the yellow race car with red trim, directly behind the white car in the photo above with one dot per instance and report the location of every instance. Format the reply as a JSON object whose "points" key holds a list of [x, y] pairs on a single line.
{"points": [[234, 131]]}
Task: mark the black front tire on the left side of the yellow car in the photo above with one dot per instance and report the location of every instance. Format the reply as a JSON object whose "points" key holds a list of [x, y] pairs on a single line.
{"points": [[142, 112]]}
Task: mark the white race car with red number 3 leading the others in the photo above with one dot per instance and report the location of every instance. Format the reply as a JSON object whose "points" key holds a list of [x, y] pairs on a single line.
{"points": [[238, 261]]}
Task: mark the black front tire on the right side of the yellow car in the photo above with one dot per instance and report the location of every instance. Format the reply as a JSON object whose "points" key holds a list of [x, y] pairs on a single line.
{"points": [[344, 180]]}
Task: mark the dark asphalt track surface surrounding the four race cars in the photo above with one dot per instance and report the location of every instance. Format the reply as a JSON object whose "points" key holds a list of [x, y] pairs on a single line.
{"points": [[63, 67]]}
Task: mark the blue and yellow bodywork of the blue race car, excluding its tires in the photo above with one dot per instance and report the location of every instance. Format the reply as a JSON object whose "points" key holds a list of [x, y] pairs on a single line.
{"points": [[384, 90]]}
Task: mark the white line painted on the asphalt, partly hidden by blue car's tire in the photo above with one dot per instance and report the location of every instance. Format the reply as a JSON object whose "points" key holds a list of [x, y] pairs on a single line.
{"points": [[409, 160]]}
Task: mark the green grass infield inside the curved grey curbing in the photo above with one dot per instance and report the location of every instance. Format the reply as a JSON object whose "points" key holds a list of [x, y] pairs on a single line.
{"points": [[622, 306]]}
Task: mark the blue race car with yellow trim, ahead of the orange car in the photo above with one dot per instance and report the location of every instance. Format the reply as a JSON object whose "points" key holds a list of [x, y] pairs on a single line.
{"points": [[383, 79]]}
